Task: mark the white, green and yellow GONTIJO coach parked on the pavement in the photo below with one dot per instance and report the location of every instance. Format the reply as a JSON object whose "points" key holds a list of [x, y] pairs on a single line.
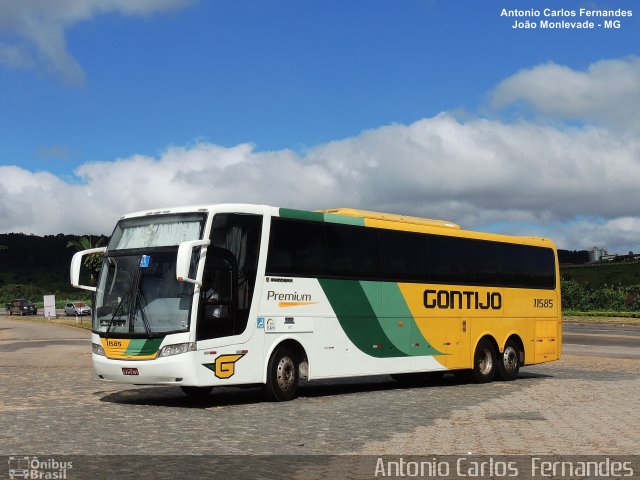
{"points": [[249, 294]]}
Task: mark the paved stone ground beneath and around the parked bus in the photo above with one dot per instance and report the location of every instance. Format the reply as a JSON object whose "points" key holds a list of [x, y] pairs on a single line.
{"points": [[586, 403]]}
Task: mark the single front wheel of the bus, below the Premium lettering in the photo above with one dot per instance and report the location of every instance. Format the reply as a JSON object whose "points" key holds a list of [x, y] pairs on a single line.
{"points": [[282, 376]]}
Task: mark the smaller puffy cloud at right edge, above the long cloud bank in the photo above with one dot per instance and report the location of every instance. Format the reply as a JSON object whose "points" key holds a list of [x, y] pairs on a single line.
{"points": [[607, 92]]}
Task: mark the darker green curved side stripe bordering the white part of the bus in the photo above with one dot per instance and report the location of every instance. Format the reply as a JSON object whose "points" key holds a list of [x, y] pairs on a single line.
{"points": [[354, 312]]}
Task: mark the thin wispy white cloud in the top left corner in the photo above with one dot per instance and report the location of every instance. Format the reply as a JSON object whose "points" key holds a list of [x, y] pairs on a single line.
{"points": [[40, 27]]}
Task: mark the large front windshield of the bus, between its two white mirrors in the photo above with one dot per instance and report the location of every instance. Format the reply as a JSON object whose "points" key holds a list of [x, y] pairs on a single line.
{"points": [[137, 292]]}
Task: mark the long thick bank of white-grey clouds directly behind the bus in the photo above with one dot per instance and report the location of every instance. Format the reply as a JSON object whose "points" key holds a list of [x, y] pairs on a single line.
{"points": [[475, 173]]}
